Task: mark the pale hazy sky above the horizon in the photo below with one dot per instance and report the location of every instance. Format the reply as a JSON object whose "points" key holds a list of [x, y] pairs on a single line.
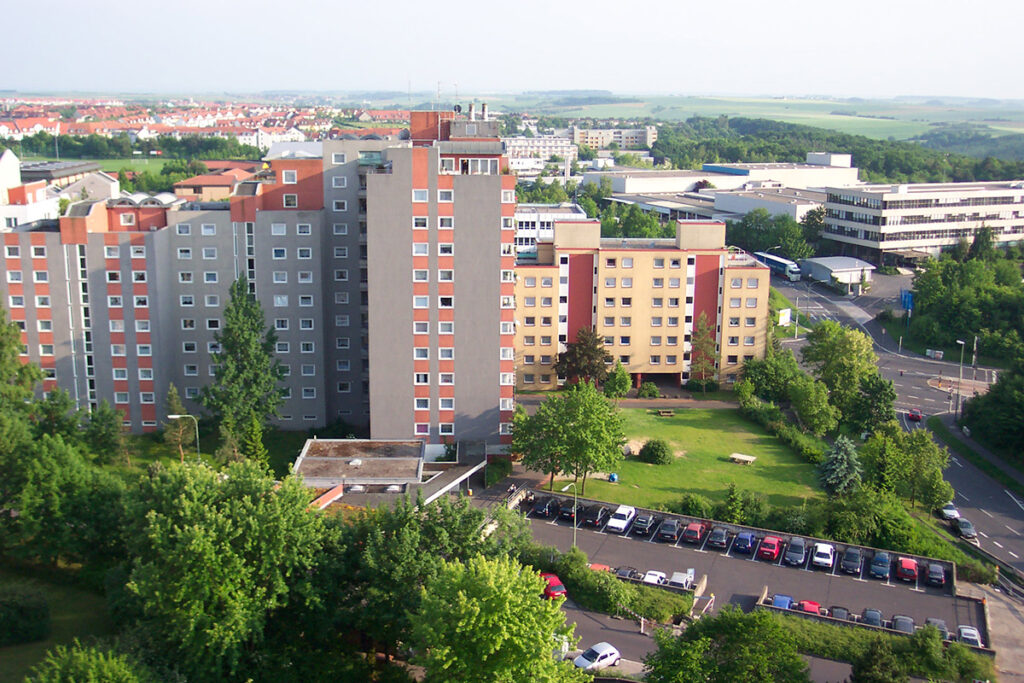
{"points": [[869, 49]]}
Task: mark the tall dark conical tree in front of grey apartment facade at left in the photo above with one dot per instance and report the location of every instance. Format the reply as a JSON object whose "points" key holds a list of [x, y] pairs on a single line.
{"points": [[245, 386]]}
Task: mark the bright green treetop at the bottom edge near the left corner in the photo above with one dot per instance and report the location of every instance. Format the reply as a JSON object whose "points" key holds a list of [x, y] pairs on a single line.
{"points": [[87, 664]]}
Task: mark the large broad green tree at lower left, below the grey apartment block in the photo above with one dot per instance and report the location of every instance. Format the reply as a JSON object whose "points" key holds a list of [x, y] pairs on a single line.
{"points": [[215, 554]]}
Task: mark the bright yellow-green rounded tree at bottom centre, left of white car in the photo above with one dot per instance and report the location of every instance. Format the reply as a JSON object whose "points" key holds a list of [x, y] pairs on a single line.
{"points": [[481, 622]]}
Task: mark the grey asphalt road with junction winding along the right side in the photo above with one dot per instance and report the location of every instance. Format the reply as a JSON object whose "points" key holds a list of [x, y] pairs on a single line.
{"points": [[926, 385]]}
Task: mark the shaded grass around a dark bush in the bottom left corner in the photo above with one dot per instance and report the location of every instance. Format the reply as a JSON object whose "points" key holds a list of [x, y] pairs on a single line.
{"points": [[74, 613]]}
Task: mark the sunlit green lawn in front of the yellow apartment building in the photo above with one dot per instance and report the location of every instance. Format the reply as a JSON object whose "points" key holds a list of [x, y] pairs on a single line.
{"points": [[708, 437]]}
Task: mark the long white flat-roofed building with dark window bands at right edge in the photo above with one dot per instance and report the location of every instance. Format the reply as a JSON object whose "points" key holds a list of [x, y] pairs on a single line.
{"points": [[889, 224]]}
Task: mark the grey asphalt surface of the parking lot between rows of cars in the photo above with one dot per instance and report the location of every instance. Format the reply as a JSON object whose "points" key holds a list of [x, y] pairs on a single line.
{"points": [[740, 578]]}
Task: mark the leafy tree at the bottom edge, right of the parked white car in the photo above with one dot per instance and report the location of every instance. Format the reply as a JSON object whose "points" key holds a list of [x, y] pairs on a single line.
{"points": [[732, 647]]}
